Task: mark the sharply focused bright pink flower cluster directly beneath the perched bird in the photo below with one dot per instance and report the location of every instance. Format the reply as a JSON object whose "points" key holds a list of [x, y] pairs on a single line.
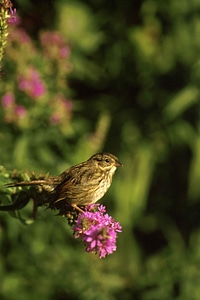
{"points": [[97, 230]]}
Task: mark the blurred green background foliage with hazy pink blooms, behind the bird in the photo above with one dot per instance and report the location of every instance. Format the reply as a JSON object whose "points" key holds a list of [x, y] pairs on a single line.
{"points": [[81, 77]]}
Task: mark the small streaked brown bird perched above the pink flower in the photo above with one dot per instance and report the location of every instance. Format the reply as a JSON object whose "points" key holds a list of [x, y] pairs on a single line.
{"points": [[81, 184]]}
